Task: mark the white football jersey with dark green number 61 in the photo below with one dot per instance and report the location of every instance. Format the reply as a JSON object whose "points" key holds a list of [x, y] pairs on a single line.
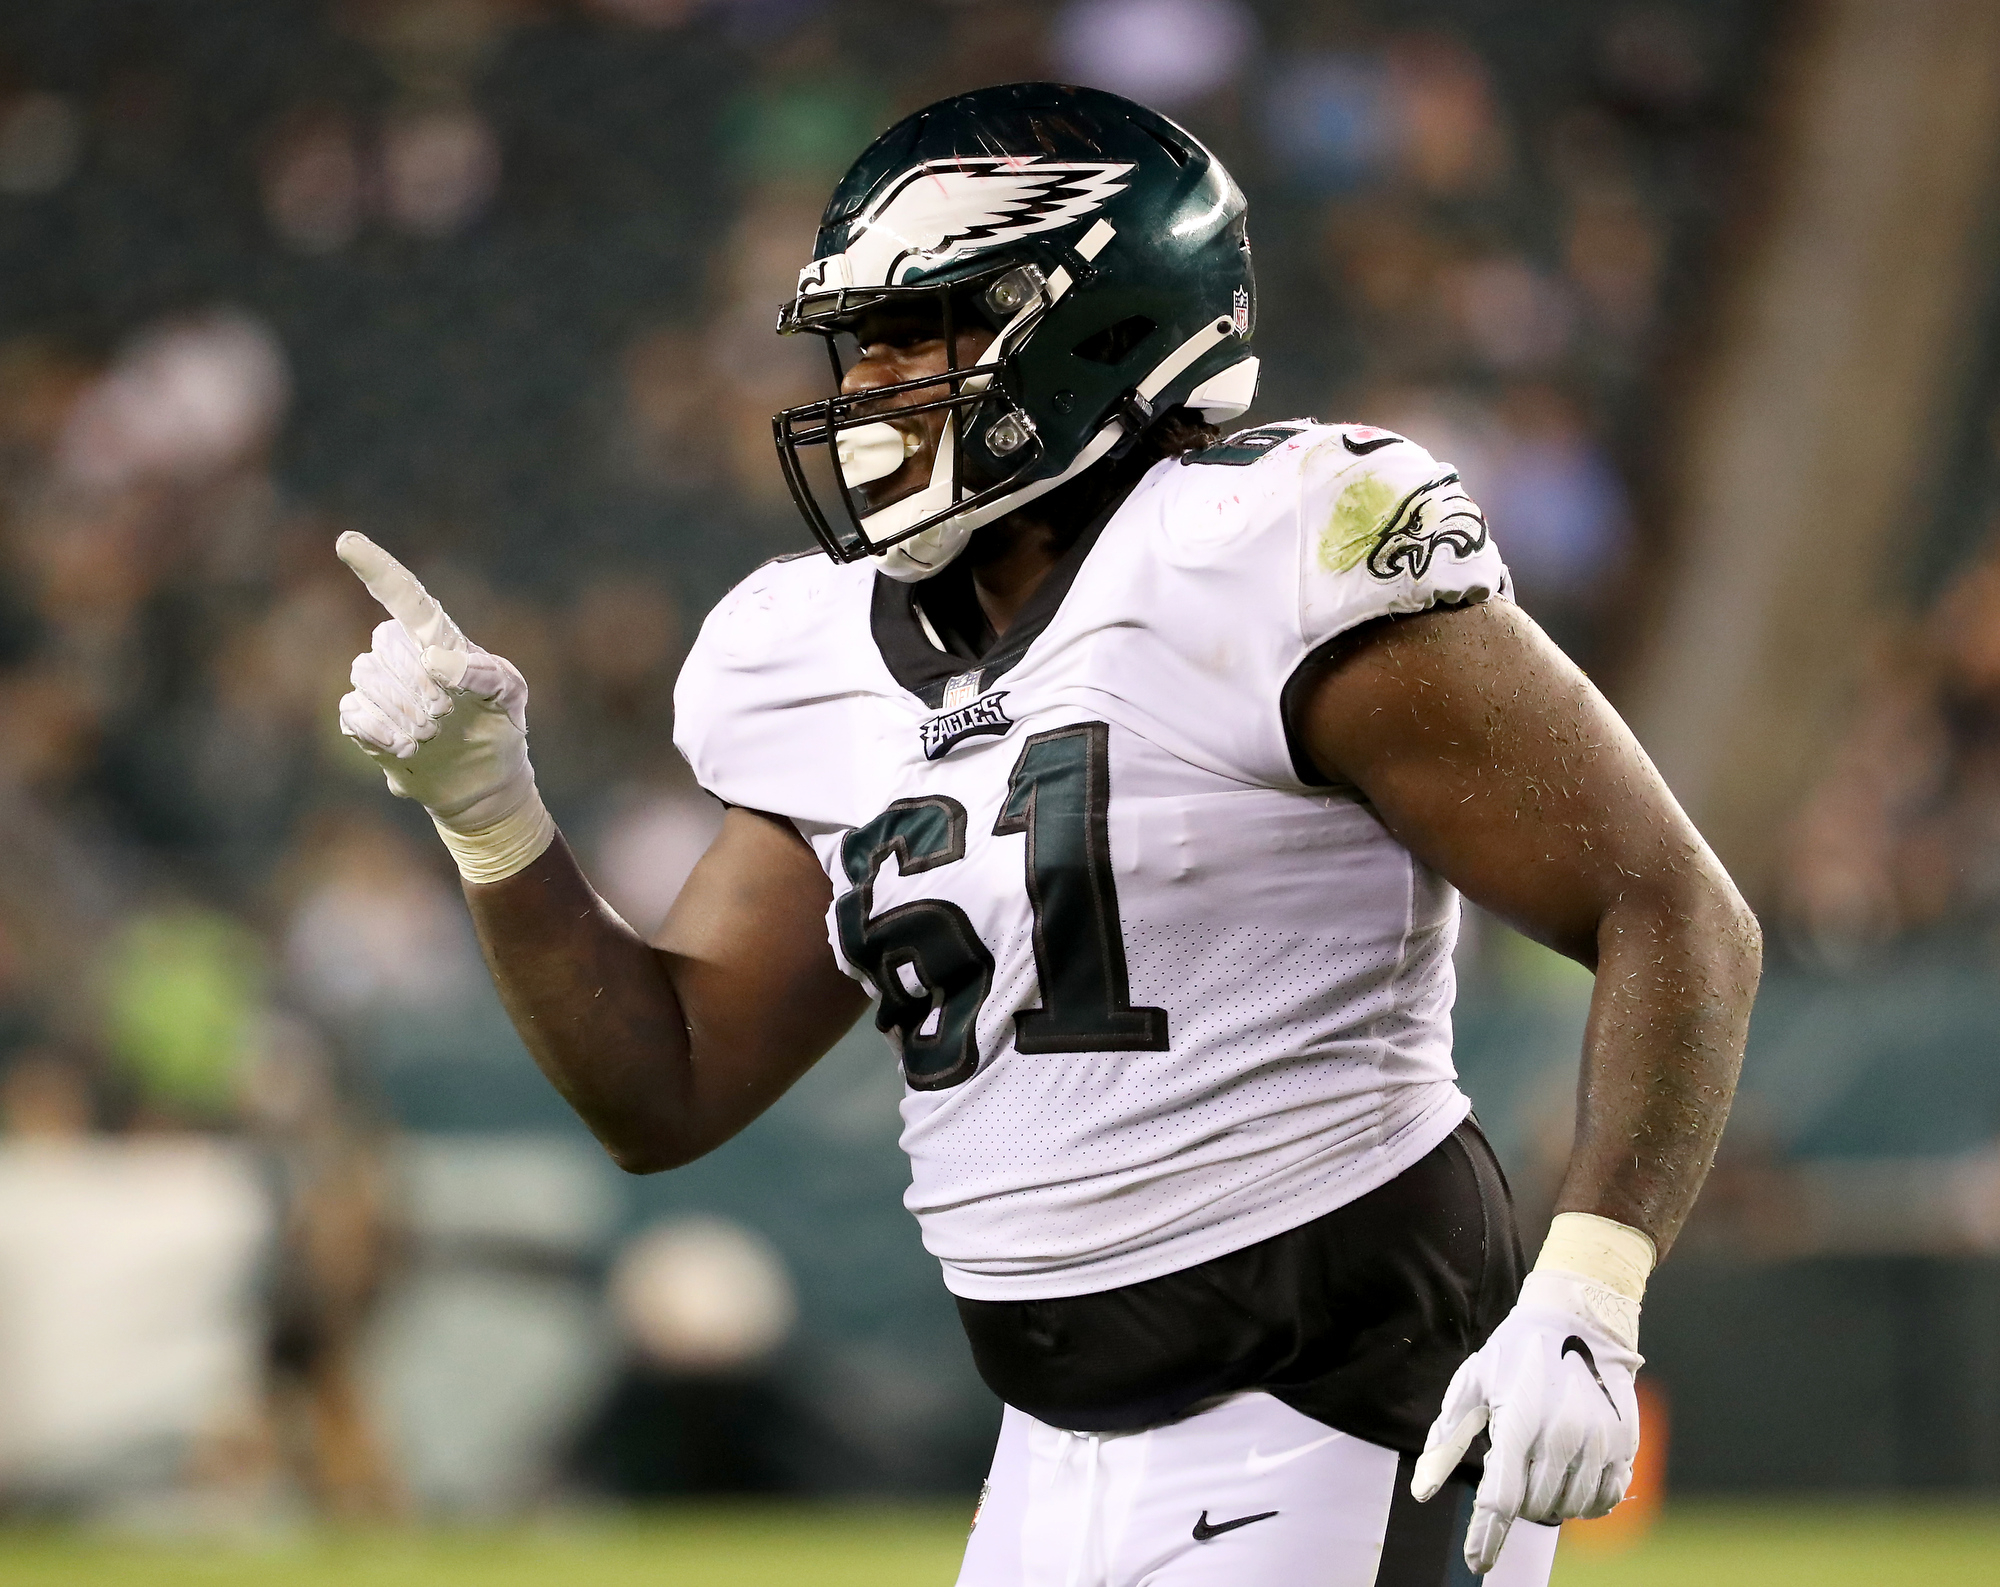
{"points": [[1157, 996]]}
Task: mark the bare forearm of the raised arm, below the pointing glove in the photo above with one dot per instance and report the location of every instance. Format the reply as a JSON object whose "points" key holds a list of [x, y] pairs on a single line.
{"points": [[593, 1002]]}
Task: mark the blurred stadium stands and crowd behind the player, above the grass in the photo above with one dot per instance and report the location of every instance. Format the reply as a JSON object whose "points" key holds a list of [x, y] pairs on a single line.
{"points": [[1697, 295]]}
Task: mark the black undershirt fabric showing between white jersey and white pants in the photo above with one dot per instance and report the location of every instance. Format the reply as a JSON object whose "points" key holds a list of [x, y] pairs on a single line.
{"points": [[1357, 1320]]}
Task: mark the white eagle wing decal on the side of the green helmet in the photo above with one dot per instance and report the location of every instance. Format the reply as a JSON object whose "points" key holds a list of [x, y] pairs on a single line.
{"points": [[945, 207]]}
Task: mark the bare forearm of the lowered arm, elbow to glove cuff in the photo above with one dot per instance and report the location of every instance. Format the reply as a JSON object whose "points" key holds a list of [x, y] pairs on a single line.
{"points": [[1661, 1056]]}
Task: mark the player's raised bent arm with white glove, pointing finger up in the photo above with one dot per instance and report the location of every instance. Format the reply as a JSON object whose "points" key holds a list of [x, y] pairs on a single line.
{"points": [[663, 1048]]}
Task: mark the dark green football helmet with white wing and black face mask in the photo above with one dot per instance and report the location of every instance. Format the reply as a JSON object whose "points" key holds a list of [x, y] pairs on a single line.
{"points": [[1099, 243]]}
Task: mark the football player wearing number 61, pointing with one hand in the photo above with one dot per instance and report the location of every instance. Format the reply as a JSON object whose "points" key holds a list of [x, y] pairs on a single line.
{"points": [[1133, 775]]}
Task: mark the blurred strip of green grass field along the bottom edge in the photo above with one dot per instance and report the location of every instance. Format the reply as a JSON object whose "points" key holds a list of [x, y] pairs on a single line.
{"points": [[757, 1546]]}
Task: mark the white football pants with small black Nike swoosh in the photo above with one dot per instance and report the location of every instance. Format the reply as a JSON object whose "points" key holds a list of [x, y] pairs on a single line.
{"points": [[1245, 1494]]}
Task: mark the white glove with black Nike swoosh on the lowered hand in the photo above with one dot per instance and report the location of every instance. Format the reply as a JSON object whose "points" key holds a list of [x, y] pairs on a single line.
{"points": [[1553, 1388]]}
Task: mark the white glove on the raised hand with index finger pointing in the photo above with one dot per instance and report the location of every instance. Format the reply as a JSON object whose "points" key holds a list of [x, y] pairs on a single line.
{"points": [[447, 723]]}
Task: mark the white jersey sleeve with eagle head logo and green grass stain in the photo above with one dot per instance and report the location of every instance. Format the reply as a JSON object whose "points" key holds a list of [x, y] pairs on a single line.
{"points": [[1385, 531]]}
